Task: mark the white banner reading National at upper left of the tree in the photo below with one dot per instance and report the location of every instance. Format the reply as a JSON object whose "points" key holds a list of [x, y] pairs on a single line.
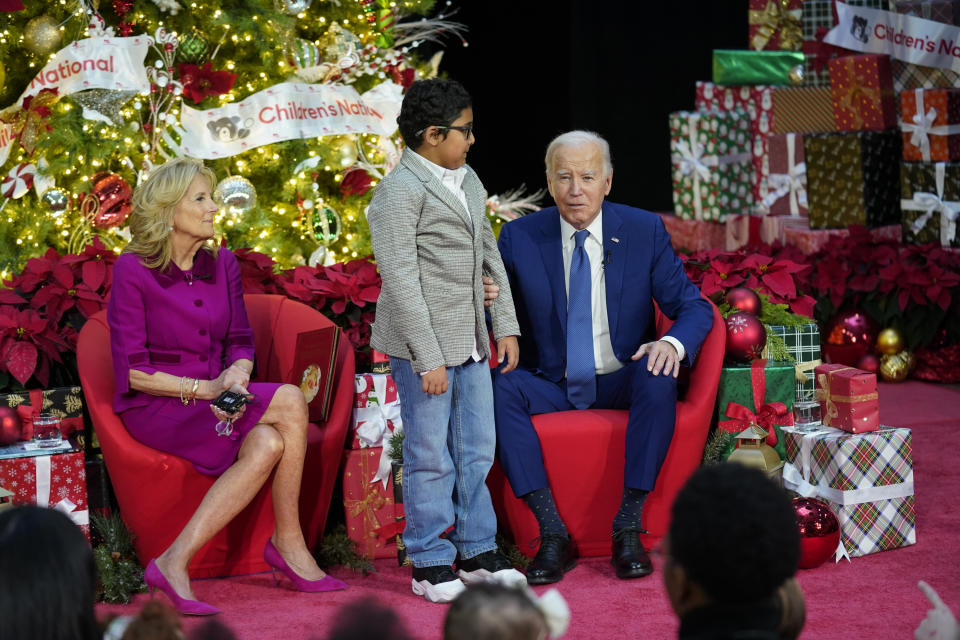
{"points": [[90, 63]]}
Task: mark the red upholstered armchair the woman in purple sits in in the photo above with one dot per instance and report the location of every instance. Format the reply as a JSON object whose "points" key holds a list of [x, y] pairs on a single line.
{"points": [[158, 492]]}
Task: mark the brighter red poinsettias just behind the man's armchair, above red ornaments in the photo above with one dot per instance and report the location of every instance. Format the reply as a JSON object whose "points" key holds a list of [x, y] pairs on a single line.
{"points": [[775, 276]]}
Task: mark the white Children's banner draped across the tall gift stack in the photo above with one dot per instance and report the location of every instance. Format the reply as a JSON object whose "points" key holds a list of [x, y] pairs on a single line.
{"points": [[922, 42]]}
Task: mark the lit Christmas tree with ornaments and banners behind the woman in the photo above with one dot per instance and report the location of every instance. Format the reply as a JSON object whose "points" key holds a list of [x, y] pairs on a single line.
{"points": [[292, 102]]}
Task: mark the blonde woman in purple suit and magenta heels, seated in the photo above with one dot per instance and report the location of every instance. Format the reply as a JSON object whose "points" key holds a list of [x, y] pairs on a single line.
{"points": [[180, 337]]}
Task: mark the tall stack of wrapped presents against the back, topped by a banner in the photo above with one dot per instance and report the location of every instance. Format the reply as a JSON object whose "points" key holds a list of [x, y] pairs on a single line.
{"points": [[795, 139]]}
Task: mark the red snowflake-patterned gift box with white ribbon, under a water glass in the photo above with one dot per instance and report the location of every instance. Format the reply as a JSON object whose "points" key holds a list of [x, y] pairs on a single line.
{"points": [[57, 481]]}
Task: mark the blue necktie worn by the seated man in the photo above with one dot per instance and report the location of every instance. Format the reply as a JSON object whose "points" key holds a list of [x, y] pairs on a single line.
{"points": [[581, 370]]}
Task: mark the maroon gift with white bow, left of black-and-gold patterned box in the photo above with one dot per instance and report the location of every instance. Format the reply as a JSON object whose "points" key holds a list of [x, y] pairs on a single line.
{"points": [[786, 192]]}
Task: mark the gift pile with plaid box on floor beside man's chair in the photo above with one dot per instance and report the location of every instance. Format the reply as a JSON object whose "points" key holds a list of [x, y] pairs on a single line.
{"points": [[861, 469]]}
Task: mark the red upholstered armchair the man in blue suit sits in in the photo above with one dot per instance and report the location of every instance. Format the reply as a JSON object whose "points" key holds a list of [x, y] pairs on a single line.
{"points": [[583, 452]]}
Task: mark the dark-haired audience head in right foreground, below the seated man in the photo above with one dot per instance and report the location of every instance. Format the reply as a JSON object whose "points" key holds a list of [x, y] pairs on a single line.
{"points": [[731, 549]]}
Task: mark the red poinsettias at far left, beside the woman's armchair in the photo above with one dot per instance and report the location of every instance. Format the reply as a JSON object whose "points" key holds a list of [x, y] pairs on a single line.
{"points": [[42, 310]]}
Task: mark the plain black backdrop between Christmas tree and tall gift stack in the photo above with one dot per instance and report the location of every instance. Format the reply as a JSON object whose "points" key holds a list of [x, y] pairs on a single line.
{"points": [[537, 69]]}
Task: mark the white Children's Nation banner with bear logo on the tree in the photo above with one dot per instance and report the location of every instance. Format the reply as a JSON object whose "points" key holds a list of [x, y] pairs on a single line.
{"points": [[288, 111]]}
